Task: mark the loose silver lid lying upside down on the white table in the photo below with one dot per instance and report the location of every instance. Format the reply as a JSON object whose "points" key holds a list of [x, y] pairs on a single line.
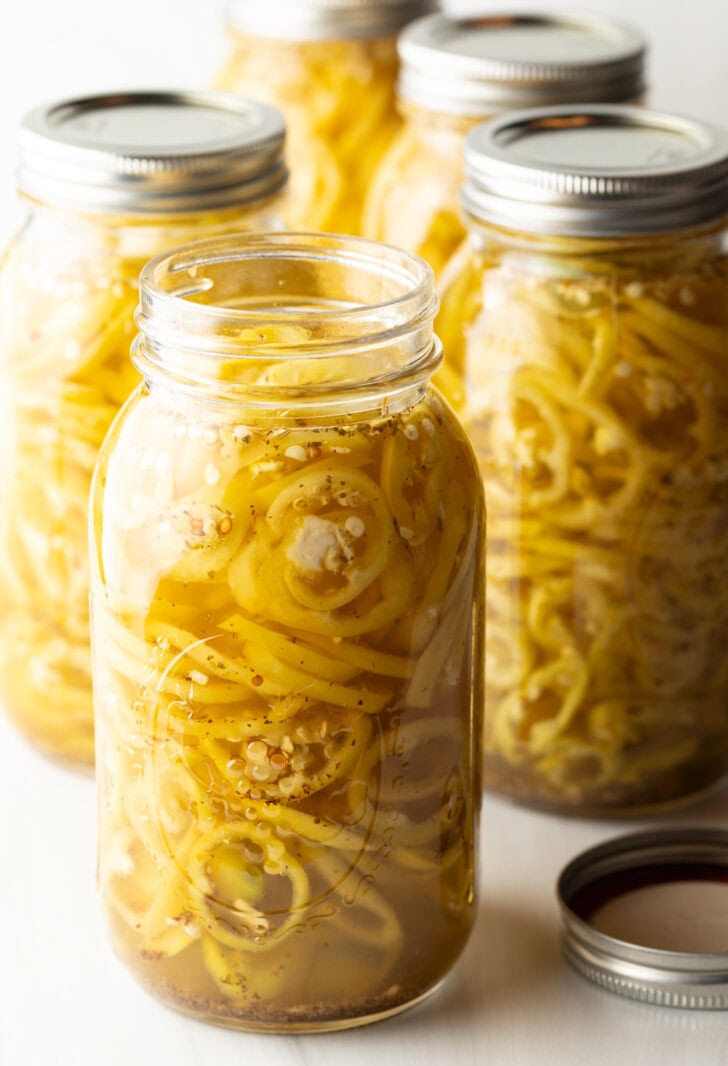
{"points": [[646, 916]]}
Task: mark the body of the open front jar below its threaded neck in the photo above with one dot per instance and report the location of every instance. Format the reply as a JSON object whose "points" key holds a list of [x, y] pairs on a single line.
{"points": [[288, 636]]}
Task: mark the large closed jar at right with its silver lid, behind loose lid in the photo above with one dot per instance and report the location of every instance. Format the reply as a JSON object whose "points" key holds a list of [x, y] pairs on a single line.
{"points": [[587, 341]]}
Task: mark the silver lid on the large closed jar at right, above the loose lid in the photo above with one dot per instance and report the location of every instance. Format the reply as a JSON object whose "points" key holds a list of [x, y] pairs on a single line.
{"points": [[596, 171]]}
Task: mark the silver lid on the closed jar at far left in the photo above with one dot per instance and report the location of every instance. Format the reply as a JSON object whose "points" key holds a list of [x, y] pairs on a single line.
{"points": [[157, 153]]}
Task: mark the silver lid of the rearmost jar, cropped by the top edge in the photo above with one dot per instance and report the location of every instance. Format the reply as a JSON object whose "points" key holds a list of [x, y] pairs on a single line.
{"points": [[322, 20]]}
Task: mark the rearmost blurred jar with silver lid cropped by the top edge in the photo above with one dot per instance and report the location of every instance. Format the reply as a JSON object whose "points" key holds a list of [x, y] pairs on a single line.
{"points": [[331, 67]]}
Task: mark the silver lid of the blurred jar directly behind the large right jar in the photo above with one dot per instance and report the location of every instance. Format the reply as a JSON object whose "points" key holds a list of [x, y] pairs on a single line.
{"points": [[486, 67]]}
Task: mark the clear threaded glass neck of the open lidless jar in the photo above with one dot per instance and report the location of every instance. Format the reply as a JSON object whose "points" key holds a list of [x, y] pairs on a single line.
{"points": [[289, 324]]}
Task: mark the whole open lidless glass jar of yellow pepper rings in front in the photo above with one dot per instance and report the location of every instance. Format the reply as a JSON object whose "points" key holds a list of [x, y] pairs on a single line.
{"points": [[288, 623]]}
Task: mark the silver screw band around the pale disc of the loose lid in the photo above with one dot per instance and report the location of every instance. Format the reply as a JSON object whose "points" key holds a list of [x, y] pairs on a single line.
{"points": [[681, 979]]}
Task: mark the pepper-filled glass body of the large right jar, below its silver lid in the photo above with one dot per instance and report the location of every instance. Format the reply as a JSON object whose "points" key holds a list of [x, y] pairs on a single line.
{"points": [[597, 405]]}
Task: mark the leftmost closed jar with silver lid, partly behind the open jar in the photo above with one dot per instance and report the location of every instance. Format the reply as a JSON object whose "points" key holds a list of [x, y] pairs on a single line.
{"points": [[109, 183]]}
